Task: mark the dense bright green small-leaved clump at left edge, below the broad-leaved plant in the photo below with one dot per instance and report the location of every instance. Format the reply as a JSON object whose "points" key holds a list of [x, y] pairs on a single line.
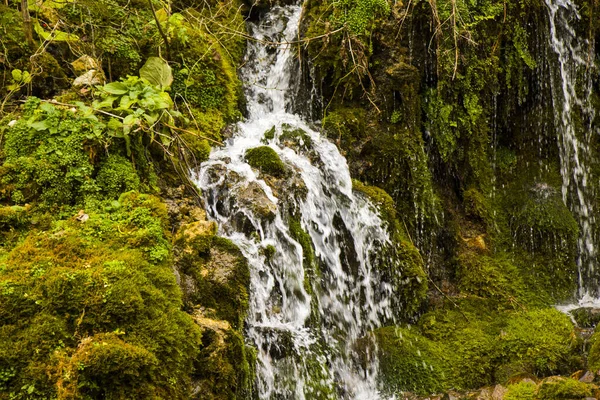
{"points": [[48, 155]]}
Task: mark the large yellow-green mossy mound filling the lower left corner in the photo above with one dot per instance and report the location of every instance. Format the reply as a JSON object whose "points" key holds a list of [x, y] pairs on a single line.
{"points": [[85, 301]]}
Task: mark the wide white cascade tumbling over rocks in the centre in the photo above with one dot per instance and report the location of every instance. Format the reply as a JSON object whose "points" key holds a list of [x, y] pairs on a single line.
{"points": [[307, 331]]}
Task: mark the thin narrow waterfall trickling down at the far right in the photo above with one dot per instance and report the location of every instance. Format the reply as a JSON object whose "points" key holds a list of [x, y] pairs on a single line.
{"points": [[571, 90]]}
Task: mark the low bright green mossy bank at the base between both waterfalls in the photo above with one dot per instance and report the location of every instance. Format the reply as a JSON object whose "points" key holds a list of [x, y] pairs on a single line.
{"points": [[475, 347]]}
